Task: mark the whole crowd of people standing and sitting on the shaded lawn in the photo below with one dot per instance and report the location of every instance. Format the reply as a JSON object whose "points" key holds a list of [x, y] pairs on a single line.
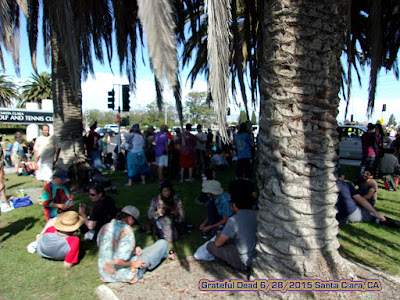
{"points": [[231, 217]]}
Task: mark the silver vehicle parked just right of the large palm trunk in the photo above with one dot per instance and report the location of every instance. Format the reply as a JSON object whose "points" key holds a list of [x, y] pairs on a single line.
{"points": [[350, 141]]}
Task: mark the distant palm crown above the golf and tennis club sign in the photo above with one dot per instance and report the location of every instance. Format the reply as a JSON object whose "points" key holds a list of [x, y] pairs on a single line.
{"points": [[36, 89]]}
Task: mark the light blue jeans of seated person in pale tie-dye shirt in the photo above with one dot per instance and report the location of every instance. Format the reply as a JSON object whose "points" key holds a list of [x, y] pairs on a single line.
{"points": [[153, 255]]}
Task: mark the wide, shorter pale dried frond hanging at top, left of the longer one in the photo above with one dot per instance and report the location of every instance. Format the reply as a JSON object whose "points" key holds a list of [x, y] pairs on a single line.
{"points": [[159, 26]]}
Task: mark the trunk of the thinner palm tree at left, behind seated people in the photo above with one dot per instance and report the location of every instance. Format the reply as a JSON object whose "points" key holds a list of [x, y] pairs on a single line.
{"points": [[67, 107]]}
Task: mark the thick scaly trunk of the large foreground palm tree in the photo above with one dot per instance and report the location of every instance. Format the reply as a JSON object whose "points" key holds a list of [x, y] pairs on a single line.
{"points": [[299, 86]]}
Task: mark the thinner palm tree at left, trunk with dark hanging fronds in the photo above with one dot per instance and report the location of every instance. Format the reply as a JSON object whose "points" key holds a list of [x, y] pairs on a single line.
{"points": [[72, 31]]}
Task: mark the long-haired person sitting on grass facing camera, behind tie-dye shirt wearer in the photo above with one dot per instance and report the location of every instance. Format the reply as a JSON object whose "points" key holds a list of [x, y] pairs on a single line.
{"points": [[166, 209]]}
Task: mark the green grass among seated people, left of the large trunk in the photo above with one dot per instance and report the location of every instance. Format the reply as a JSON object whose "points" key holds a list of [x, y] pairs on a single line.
{"points": [[27, 276]]}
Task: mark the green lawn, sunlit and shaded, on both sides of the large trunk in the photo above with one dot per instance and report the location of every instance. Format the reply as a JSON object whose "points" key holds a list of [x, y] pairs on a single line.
{"points": [[27, 276]]}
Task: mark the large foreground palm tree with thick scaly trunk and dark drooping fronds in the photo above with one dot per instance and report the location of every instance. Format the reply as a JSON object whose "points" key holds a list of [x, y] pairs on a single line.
{"points": [[299, 81]]}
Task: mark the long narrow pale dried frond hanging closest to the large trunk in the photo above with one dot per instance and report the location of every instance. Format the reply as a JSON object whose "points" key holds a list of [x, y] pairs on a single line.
{"points": [[219, 17]]}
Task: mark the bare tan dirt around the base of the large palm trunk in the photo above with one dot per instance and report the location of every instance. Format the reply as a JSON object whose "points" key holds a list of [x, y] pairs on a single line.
{"points": [[180, 280]]}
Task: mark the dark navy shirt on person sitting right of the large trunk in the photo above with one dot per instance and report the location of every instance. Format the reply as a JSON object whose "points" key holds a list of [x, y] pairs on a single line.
{"points": [[345, 205]]}
